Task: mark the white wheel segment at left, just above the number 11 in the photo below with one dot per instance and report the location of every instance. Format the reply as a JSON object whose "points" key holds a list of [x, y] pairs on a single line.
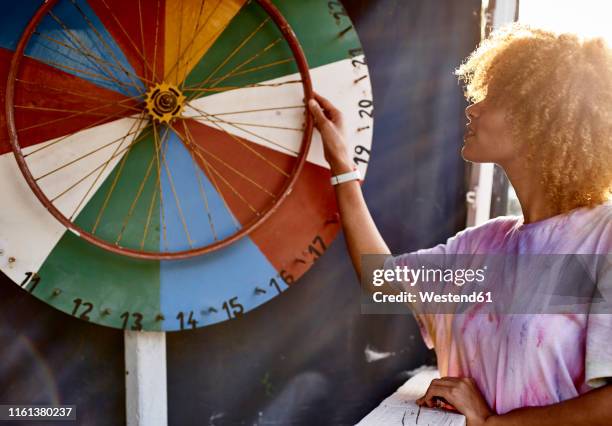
{"points": [[27, 220]]}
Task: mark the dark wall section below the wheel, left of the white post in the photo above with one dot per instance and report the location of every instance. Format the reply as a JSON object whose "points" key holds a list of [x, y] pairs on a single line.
{"points": [[48, 357]]}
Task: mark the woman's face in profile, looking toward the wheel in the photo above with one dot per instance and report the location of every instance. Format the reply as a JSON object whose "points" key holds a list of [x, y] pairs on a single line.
{"points": [[488, 137]]}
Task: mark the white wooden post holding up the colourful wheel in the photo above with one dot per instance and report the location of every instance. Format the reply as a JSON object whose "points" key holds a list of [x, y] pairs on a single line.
{"points": [[145, 378]]}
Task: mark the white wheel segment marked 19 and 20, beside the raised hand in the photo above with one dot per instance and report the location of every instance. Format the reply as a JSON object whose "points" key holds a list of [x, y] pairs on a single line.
{"points": [[267, 100]]}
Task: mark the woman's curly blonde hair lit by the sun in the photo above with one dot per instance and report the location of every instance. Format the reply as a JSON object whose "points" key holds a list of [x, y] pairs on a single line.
{"points": [[557, 89]]}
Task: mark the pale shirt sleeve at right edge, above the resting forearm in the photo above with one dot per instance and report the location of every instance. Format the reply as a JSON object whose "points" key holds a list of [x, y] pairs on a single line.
{"points": [[598, 359]]}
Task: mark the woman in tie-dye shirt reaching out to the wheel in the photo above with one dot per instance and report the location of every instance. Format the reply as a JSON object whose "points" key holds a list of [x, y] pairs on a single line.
{"points": [[542, 110]]}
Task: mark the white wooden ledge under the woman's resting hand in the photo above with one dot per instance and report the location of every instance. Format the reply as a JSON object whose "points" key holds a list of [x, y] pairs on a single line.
{"points": [[400, 409]]}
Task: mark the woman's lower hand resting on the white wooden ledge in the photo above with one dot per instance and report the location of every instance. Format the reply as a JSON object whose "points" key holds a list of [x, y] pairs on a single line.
{"points": [[461, 394]]}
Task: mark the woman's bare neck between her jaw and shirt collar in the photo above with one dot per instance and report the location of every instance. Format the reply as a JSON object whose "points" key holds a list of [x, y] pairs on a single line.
{"points": [[532, 195]]}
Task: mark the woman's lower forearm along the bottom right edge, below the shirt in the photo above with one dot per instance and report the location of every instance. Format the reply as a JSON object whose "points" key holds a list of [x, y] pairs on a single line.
{"points": [[593, 408]]}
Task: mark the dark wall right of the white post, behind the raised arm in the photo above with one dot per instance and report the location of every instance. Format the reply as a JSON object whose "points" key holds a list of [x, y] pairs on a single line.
{"points": [[302, 359]]}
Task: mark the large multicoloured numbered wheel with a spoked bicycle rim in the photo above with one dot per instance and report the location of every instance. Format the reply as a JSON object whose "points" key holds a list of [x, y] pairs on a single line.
{"points": [[158, 167]]}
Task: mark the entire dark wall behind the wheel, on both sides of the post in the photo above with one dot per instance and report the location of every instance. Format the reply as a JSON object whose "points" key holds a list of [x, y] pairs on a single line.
{"points": [[301, 358]]}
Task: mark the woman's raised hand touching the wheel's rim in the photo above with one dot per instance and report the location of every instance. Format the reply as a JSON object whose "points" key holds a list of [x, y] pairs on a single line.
{"points": [[328, 119]]}
